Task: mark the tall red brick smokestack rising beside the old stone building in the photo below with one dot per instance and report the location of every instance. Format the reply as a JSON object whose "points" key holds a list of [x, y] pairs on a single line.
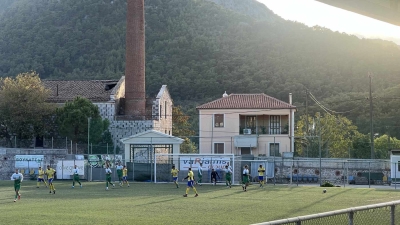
{"points": [[135, 93]]}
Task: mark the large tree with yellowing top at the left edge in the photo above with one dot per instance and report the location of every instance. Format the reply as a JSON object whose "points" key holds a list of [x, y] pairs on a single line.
{"points": [[23, 106]]}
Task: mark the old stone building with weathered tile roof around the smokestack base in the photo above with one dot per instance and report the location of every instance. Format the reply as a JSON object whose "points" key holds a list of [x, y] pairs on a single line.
{"points": [[109, 96]]}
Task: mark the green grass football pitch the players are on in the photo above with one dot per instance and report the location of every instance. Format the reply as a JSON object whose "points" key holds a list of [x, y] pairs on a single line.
{"points": [[148, 203]]}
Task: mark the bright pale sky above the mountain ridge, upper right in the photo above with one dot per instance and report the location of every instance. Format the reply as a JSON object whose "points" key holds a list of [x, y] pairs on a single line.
{"points": [[313, 13]]}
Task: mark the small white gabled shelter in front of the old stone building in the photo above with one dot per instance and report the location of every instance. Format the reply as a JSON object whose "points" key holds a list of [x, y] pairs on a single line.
{"points": [[140, 148]]}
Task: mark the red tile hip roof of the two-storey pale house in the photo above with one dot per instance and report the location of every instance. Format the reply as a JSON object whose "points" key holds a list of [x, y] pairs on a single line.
{"points": [[247, 101]]}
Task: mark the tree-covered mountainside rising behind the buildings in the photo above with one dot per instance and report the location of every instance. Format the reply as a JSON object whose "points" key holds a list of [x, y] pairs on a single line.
{"points": [[200, 49]]}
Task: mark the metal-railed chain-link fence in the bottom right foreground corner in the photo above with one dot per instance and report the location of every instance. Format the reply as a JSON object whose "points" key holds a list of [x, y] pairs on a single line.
{"points": [[383, 213]]}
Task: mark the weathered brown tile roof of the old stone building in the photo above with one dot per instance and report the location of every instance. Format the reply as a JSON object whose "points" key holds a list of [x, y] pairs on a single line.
{"points": [[67, 90]]}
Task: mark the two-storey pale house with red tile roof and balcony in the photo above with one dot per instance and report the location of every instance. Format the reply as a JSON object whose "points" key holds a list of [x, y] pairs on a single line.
{"points": [[246, 124]]}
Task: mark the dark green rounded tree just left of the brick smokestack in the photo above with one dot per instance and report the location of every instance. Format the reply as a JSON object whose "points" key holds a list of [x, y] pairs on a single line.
{"points": [[74, 117]]}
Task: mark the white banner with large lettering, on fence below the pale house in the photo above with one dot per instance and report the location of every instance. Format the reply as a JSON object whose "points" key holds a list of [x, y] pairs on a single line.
{"points": [[209, 163]]}
